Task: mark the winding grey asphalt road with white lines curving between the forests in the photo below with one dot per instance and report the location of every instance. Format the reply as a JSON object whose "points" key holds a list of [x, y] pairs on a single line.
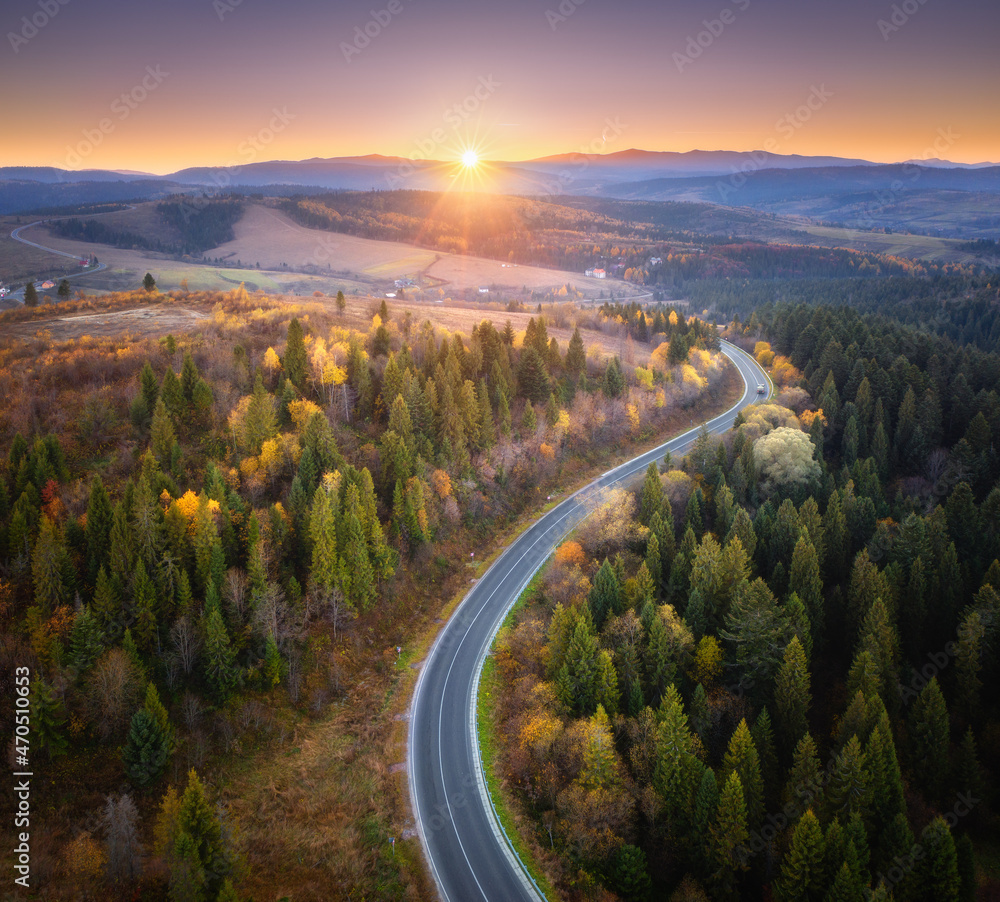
{"points": [[468, 853]]}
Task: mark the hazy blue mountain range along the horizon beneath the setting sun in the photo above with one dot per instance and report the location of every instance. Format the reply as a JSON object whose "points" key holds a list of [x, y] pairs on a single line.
{"points": [[811, 185]]}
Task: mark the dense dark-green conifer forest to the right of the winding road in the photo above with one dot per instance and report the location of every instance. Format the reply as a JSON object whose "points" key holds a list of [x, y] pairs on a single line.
{"points": [[771, 678]]}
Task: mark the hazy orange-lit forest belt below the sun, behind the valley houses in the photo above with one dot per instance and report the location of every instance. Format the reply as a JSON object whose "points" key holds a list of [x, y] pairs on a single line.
{"points": [[568, 234]]}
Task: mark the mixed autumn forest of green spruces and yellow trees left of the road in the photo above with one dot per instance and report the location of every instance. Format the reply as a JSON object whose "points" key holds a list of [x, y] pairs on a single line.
{"points": [[202, 537]]}
